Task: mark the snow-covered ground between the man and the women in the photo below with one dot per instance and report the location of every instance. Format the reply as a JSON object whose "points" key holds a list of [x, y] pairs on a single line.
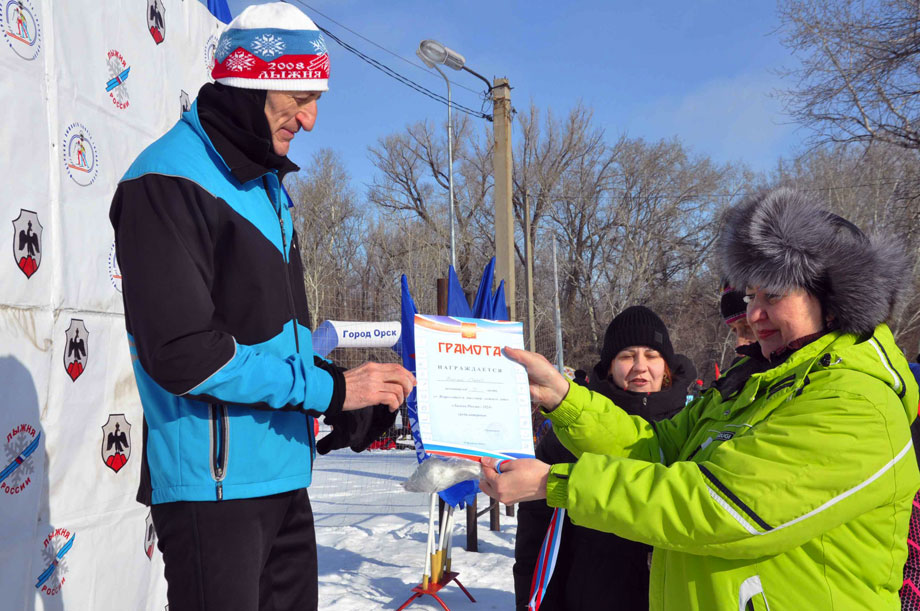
{"points": [[371, 539]]}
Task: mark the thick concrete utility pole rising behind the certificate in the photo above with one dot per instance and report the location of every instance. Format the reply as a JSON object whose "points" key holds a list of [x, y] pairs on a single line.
{"points": [[502, 165]]}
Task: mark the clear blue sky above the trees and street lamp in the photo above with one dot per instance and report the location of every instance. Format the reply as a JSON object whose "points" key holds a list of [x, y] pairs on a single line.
{"points": [[701, 70]]}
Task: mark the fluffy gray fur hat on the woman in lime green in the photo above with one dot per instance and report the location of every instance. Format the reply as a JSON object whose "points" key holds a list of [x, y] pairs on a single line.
{"points": [[778, 239]]}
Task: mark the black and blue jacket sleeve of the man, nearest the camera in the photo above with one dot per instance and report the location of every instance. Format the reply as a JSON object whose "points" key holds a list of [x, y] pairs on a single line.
{"points": [[167, 232]]}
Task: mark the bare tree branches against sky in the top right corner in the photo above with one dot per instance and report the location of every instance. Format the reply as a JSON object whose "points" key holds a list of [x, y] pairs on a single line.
{"points": [[859, 78]]}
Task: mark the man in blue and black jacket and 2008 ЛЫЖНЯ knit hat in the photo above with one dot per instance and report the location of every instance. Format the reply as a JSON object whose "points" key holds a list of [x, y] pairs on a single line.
{"points": [[219, 329]]}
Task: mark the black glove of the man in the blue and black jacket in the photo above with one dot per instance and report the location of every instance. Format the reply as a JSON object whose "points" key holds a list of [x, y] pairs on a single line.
{"points": [[355, 429]]}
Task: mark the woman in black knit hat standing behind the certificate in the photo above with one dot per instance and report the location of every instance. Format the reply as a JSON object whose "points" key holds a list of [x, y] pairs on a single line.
{"points": [[640, 372]]}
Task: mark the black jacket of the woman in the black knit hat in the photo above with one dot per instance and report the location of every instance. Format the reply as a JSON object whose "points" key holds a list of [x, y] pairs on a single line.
{"points": [[593, 569]]}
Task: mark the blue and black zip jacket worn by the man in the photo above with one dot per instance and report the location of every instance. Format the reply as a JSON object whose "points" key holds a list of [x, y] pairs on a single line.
{"points": [[216, 311]]}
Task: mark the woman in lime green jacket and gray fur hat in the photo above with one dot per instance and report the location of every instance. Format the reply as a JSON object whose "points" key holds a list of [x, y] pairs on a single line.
{"points": [[790, 491]]}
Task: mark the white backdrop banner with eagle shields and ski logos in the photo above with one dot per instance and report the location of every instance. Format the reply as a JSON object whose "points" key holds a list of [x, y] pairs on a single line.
{"points": [[86, 86]]}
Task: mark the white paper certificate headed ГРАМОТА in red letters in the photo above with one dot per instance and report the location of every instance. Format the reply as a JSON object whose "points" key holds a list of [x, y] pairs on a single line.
{"points": [[473, 401]]}
